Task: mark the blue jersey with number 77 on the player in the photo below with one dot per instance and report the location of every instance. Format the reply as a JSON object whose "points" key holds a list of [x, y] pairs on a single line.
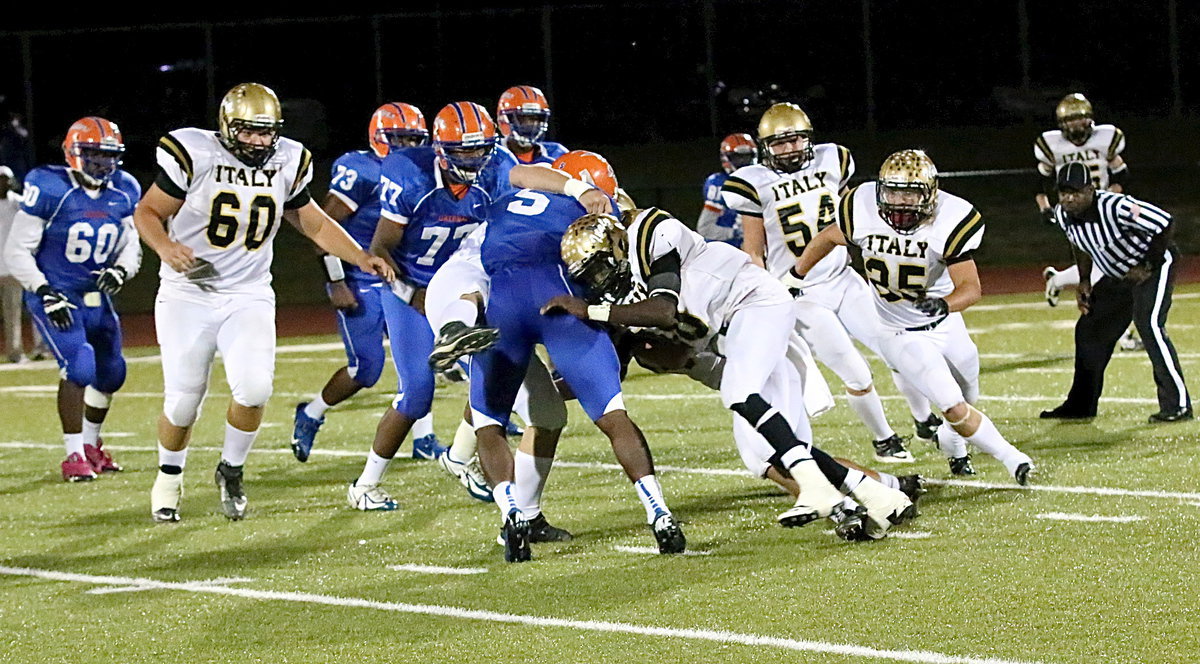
{"points": [[436, 219]]}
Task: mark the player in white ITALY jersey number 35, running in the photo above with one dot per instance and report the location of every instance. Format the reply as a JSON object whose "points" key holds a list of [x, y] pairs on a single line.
{"points": [[917, 247]]}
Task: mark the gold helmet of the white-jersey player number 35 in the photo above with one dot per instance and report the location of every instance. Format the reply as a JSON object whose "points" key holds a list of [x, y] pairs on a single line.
{"points": [[908, 190]]}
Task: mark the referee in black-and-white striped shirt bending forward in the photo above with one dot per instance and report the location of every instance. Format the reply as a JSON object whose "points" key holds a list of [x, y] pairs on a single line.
{"points": [[1130, 242]]}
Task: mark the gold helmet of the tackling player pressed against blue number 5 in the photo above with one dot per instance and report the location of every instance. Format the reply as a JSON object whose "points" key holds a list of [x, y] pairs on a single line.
{"points": [[596, 250]]}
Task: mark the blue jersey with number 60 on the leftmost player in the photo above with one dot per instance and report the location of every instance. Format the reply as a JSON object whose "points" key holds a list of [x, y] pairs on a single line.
{"points": [[83, 235]]}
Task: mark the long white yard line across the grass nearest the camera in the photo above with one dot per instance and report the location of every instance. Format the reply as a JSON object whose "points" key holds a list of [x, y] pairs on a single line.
{"points": [[710, 636]]}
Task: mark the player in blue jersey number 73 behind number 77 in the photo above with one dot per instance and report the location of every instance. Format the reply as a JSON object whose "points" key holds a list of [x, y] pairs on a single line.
{"points": [[353, 201]]}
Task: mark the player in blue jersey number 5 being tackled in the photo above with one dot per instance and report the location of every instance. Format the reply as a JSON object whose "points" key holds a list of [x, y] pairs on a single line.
{"points": [[521, 255]]}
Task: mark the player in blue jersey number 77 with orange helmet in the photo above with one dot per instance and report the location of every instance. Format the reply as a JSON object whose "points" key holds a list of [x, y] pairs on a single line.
{"points": [[431, 199]]}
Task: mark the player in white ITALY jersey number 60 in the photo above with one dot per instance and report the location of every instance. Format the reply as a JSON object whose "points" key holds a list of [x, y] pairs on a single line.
{"points": [[212, 218]]}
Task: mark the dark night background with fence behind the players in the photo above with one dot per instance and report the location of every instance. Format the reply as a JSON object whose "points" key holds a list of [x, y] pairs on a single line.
{"points": [[653, 86]]}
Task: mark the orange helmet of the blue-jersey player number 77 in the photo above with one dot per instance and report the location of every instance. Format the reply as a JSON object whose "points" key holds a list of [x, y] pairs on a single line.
{"points": [[464, 139]]}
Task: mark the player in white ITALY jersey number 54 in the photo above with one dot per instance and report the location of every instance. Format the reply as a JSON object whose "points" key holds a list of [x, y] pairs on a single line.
{"points": [[783, 204]]}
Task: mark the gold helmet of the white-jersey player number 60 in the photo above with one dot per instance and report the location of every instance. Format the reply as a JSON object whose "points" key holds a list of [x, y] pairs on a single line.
{"points": [[255, 110]]}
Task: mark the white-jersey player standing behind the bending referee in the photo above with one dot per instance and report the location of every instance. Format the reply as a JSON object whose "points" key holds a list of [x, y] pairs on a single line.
{"points": [[1099, 147]]}
